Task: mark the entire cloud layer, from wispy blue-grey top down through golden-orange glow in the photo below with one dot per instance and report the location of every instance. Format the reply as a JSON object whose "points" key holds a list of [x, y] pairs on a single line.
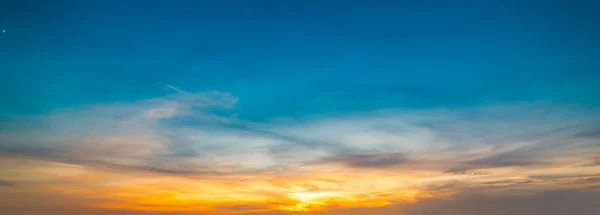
{"points": [[187, 141]]}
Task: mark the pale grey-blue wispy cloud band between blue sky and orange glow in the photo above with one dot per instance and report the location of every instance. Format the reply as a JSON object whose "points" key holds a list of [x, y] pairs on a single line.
{"points": [[181, 134]]}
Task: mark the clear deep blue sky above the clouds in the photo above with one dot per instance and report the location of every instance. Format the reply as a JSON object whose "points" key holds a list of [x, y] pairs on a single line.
{"points": [[299, 58]]}
